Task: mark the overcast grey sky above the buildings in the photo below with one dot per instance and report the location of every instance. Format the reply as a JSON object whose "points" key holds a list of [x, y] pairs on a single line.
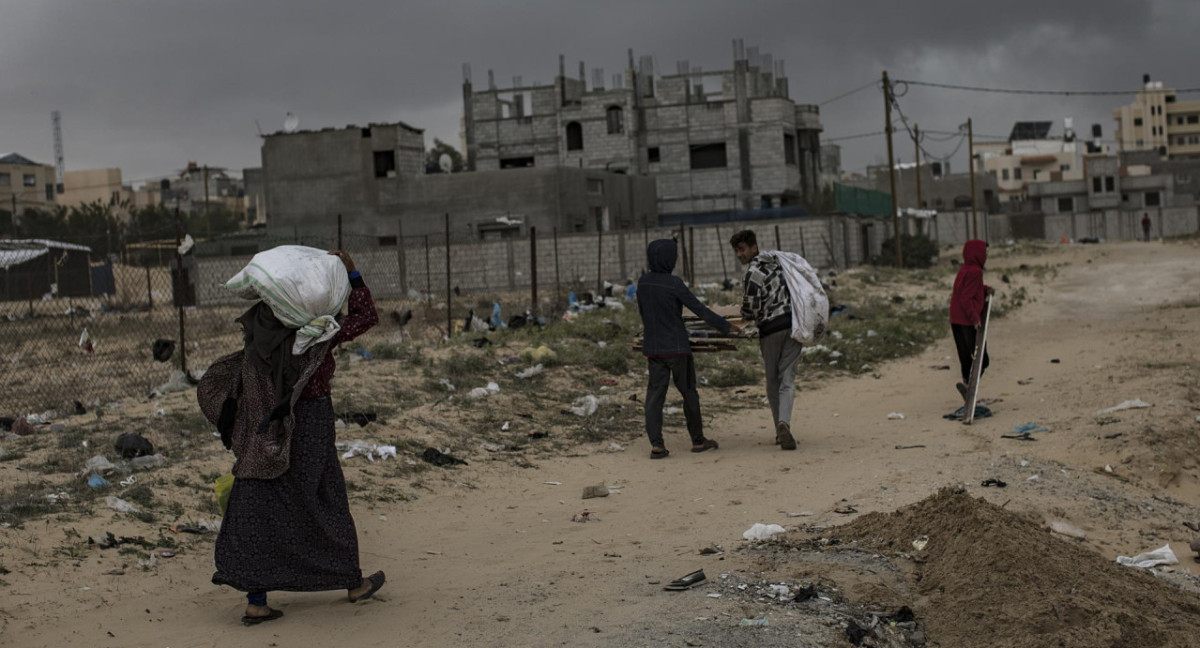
{"points": [[148, 86]]}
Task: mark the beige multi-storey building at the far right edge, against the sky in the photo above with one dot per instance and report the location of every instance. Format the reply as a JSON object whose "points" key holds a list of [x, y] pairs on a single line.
{"points": [[1159, 121]]}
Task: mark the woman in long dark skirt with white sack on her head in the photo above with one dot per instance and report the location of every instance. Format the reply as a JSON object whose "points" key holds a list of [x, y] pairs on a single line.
{"points": [[289, 524]]}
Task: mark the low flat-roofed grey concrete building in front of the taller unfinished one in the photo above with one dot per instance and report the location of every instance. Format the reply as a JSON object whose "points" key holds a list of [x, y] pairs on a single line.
{"points": [[376, 178]]}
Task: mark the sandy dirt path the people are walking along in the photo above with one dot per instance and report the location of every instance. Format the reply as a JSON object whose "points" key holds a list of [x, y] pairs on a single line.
{"points": [[502, 563]]}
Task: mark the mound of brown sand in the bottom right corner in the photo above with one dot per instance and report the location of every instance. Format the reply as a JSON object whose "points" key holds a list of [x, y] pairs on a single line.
{"points": [[992, 578]]}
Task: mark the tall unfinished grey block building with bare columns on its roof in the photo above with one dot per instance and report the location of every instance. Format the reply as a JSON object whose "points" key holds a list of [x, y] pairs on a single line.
{"points": [[713, 141]]}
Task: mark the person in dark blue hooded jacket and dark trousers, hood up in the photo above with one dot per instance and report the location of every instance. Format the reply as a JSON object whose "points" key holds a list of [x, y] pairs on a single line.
{"points": [[662, 298]]}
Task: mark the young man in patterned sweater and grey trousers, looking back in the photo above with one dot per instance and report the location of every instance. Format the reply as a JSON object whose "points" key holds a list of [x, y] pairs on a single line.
{"points": [[770, 305]]}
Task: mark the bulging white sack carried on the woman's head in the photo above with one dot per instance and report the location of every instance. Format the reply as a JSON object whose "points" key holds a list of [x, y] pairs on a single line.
{"points": [[305, 289]]}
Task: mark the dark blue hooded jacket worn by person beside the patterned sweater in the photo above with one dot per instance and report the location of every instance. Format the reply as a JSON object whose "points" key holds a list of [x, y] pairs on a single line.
{"points": [[661, 302]]}
